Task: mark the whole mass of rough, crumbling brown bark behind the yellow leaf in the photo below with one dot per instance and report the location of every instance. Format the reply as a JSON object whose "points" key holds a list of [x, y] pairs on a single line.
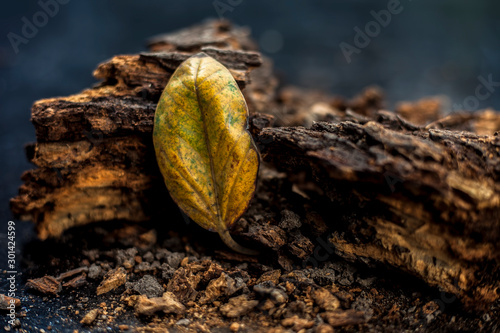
{"points": [[419, 194]]}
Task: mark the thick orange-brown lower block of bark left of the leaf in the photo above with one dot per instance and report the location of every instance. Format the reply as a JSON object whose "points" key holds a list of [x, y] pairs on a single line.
{"points": [[83, 182]]}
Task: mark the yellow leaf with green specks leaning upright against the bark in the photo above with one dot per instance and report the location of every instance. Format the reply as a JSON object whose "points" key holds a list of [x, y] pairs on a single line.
{"points": [[206, 154]]}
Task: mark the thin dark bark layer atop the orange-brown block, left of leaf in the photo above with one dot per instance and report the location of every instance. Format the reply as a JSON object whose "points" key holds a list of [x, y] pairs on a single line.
{"points": [[91, 118]]}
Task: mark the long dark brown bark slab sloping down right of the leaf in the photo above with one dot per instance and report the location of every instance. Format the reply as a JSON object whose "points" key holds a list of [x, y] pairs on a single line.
{"points": [[416, 188]]}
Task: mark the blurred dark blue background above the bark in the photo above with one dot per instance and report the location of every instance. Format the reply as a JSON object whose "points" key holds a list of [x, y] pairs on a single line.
{"points": [[427, 48]]}
